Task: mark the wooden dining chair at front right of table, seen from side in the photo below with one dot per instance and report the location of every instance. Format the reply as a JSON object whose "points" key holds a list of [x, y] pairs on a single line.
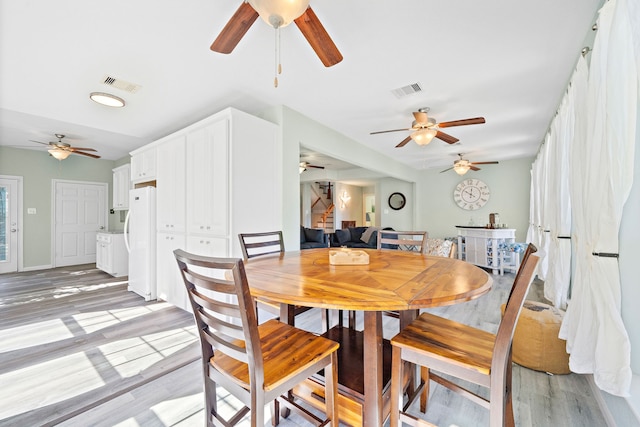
{"points": [[463, 352]]}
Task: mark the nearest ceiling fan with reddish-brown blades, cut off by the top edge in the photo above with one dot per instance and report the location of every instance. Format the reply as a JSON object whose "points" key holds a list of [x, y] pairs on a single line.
{"points": [[279, 14]]}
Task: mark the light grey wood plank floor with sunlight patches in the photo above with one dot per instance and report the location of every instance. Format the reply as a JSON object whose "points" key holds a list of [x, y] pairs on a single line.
{"points": [[77, 349]]}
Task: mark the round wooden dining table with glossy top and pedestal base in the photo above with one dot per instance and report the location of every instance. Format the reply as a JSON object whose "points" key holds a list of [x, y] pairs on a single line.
{"points": [[393, 280]]}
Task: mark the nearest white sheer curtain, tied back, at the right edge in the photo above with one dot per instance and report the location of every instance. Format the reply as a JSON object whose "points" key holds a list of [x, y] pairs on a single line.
{"points": [[596, 338]]}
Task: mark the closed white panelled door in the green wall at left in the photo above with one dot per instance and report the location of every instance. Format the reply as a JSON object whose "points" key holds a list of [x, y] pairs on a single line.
{"points": [[80, 213]]}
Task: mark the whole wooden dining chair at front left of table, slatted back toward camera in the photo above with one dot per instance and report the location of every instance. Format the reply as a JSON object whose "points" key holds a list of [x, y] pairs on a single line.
{"points": [[257, 364]]}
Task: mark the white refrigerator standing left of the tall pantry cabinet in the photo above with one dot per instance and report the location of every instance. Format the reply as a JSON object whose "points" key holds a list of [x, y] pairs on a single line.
{"points": [[140, 239]]}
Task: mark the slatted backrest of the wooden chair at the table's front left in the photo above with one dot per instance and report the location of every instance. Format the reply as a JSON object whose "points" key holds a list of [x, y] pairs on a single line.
{"points": [[223, 309]]}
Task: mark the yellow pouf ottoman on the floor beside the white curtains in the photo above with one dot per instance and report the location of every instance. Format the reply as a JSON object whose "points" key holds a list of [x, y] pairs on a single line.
{"points": [[535, 342]]}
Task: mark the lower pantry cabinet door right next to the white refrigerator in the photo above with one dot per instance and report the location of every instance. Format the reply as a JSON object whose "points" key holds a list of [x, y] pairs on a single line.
{"points": [[170, 285]]}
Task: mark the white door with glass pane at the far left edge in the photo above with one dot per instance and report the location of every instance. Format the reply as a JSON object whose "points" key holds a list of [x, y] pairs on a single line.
{"points": [[9, 225]]}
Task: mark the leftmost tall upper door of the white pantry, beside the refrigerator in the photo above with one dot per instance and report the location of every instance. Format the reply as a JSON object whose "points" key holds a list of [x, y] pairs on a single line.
{"points": [[170, 185]]}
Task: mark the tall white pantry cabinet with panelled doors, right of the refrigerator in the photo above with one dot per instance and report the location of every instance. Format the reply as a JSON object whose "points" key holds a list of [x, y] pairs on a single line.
{"points": [[216, 178]]}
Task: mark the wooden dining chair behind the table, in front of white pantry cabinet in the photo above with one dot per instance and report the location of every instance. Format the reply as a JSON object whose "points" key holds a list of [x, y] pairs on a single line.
{"points": [[258, 244]]}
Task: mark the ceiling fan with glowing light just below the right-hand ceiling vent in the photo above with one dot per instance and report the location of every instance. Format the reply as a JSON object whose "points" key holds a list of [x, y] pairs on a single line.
{"points": [[426, 128]]}
